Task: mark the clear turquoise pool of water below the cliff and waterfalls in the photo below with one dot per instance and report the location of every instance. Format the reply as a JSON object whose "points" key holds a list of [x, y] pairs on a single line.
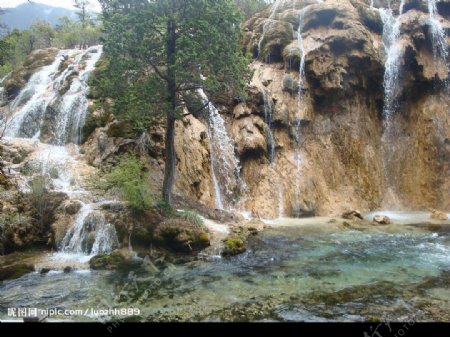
{"points": [[295, 273]]}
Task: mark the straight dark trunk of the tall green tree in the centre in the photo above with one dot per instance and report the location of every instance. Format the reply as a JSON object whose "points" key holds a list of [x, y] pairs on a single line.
{"points": [[169, 172]]}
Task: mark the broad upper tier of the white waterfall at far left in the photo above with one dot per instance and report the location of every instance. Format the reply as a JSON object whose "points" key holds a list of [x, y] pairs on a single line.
{"points": [[42, 104]]}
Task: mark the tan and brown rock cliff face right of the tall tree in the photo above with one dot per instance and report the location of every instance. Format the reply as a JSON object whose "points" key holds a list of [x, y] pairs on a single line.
{"points": [[314, 137]]}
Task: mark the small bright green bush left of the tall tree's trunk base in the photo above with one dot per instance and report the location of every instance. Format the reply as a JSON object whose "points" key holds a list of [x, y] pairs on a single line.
{"points": [[132, 182]]}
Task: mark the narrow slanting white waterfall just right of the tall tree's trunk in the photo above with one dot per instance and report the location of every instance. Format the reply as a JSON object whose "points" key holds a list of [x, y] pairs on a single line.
{"points": [[224, 164]]}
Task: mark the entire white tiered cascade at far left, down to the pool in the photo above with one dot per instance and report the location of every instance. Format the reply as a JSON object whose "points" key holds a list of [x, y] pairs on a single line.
{"points": [[52, 107]]}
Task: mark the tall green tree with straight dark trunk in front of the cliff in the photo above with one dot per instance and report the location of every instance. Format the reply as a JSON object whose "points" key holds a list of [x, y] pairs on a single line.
{"points": [[181, 46]]}
